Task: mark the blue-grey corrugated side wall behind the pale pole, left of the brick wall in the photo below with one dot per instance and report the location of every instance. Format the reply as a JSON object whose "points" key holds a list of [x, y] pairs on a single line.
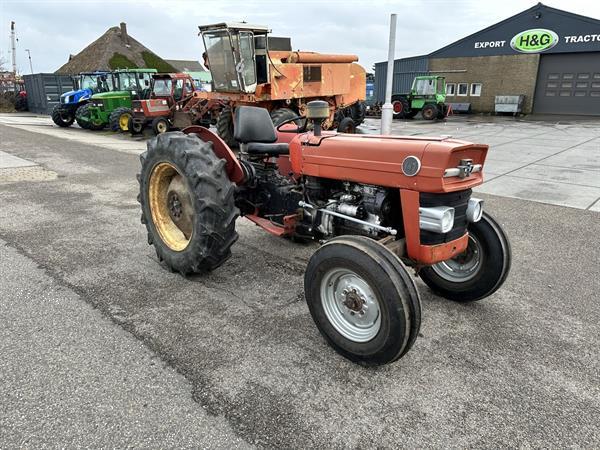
{"points": [[405, 70]]}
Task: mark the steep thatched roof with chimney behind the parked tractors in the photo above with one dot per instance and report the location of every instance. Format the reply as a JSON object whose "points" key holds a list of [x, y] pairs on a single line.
{"points": [[115, 49]]}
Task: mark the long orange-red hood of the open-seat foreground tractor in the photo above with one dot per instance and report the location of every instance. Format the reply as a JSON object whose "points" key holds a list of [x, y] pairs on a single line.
{"points": [[378, 160]]}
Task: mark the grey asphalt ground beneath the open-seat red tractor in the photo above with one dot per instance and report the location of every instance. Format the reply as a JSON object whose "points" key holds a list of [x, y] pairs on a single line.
{"points": [[95, 328]]}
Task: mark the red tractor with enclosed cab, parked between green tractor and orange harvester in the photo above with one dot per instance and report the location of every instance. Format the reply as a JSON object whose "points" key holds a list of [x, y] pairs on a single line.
{"points": [[169, 93]]}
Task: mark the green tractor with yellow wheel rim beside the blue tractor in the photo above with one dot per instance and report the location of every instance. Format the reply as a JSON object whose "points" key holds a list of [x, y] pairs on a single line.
{"points": [[114, 108]]}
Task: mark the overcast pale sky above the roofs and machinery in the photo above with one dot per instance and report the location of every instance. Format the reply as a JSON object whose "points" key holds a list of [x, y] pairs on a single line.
{"points": [[52, 30]]}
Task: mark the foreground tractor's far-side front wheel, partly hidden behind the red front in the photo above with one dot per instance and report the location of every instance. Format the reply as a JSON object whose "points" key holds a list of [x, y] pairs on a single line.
{"points": [[479, 271]]}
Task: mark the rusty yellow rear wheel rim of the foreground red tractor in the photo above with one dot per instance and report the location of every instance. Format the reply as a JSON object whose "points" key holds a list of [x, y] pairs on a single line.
{"points": [[170, 206]]}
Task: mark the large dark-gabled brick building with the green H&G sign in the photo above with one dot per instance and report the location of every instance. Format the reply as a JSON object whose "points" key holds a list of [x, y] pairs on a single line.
{"points": [[550, 56]]}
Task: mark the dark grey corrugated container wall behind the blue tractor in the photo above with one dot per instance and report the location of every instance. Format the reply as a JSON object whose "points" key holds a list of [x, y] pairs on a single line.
{"points": [[44, 90]]}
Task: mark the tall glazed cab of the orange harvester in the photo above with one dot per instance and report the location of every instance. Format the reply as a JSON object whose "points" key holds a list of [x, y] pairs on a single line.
{"points": [[237, 55]]}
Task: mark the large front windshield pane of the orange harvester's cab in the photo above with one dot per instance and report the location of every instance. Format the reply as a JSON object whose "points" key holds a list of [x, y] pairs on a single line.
{"points": [[220, 60]]}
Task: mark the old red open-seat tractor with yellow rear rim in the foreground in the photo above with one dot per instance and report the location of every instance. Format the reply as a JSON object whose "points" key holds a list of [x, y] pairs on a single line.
{"points": [[378, 204]]}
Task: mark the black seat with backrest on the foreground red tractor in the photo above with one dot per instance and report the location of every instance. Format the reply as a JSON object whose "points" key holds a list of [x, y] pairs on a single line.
{"points": [[254, 129]]}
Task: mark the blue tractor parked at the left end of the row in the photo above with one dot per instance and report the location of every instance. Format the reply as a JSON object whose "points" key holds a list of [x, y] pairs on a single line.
{"points": [[84, 86]]}
